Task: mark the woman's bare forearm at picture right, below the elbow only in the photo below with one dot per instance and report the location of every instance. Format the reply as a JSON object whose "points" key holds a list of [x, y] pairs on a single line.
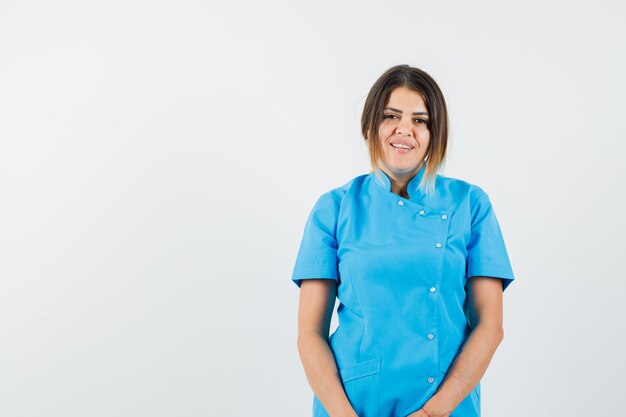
{"points": [[467, 369]]}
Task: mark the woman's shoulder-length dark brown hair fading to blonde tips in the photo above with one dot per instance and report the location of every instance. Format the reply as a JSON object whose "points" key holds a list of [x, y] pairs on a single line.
{"points": [[417, 80]]}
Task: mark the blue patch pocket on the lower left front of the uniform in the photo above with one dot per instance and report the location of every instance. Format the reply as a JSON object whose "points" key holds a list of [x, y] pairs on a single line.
{"points": [[361, 383]]}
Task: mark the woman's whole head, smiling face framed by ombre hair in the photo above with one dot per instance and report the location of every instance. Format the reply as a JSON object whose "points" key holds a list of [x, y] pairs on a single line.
{"points": [[406, 106]]}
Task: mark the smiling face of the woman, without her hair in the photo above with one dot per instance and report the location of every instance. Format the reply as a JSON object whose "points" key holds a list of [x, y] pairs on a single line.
{"points": [[405, 123]]}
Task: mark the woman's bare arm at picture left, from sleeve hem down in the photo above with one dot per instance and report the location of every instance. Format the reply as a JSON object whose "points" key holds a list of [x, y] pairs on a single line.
{"points": [[317, 299]]}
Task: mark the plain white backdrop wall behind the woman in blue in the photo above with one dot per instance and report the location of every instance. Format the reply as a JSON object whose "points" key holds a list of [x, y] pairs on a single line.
{"points": [[158, 161]]}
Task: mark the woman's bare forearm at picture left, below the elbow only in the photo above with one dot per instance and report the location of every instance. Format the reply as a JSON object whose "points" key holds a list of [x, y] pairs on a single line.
{"points": [[322, 374]]}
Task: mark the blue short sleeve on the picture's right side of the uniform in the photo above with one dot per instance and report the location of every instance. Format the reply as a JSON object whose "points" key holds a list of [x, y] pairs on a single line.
{"points": [[486, 252]]}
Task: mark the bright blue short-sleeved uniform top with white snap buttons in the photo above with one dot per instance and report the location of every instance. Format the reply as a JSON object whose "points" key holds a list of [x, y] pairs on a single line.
{"points": [[401, 267]]}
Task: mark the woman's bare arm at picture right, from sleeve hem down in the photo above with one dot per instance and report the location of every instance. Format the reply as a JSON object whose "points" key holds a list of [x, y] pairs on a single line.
{"points": [[485, 310]]}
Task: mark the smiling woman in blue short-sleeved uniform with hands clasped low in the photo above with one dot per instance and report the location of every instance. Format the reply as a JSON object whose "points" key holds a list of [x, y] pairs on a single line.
{"points": [[418, 263]]}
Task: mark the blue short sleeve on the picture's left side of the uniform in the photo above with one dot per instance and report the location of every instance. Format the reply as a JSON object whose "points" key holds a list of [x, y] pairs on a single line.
{"points": [[317, 256]]}
